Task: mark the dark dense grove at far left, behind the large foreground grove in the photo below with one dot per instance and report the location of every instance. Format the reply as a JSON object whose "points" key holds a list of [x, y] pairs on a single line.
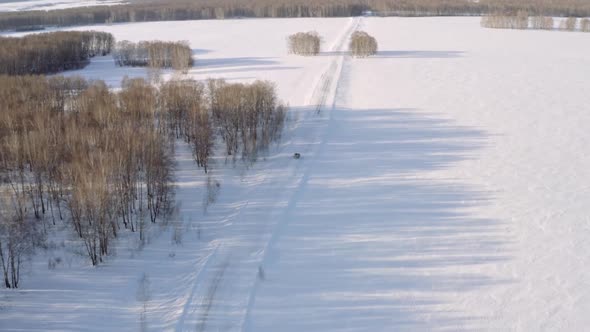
{"points": [[52, 52]]}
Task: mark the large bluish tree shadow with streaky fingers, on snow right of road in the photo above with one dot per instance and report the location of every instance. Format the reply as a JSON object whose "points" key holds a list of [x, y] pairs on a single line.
{"points": [[373, 246]]}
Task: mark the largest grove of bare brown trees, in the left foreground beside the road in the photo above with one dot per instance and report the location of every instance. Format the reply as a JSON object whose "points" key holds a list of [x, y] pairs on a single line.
{"points": [[101, 162]]}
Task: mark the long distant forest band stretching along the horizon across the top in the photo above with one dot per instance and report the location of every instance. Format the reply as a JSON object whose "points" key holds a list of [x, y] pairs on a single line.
{"points": [[158, 10]]}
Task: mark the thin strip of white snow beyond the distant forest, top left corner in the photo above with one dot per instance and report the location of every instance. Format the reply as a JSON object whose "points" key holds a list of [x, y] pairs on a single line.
{"points": [[25, 5]]}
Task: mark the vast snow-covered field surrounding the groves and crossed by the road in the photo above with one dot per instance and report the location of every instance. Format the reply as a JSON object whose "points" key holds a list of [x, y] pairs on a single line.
{"points": [[444, 185]]}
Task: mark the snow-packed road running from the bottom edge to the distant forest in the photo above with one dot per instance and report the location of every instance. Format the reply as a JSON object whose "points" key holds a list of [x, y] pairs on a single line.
{"points": [[224, 288]]}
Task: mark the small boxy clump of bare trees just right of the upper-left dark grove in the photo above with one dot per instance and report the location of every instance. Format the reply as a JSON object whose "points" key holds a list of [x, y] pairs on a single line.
{"points": [[157, 54]]}
